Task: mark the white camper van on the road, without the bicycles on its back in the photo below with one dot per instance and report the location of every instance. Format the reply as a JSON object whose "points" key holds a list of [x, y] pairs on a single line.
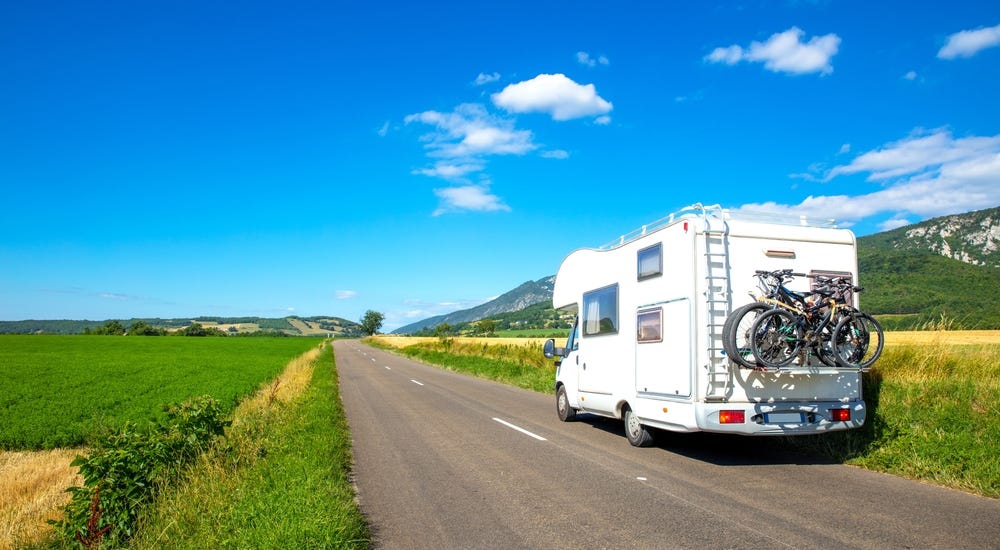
{"points": [[647, 343]]}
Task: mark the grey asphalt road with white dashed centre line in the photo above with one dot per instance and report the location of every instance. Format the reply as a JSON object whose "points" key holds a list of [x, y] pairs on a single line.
{"points": [[443, 460]]}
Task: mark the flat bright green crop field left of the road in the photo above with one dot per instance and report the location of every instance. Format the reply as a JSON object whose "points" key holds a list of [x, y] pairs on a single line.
{"points": [[61, 391]]}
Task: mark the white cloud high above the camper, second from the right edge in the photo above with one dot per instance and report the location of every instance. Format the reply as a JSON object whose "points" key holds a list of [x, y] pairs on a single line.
{"points": [[784, 52]]}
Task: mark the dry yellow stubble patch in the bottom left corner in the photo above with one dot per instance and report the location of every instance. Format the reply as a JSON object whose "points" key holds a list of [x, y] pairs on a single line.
{"points": [[32, 491]]}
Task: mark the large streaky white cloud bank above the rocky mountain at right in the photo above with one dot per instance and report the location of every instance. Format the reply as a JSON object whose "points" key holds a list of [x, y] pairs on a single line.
{"points": [[925, 174]]}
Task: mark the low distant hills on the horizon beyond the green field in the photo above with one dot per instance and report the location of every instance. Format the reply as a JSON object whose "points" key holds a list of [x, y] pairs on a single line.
{"points": [[292, 326]]}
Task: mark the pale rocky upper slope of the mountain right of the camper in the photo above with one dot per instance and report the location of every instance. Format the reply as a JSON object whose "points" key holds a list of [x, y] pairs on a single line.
{"points": [[973, 238]]}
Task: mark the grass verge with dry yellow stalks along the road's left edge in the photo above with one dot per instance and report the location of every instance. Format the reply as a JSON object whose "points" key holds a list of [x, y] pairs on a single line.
{"points": [[281, 480]]}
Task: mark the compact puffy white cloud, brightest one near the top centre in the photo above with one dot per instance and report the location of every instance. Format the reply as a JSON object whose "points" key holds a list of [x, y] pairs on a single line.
{"points": [[555, 94]]}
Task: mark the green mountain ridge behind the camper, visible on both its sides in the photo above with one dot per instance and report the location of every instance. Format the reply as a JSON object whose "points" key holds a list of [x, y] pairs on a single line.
{"points": [[945, 269]]}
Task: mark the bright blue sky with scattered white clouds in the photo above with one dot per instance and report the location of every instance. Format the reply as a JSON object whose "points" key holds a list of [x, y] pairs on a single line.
{"points": [[179, 159]]}
